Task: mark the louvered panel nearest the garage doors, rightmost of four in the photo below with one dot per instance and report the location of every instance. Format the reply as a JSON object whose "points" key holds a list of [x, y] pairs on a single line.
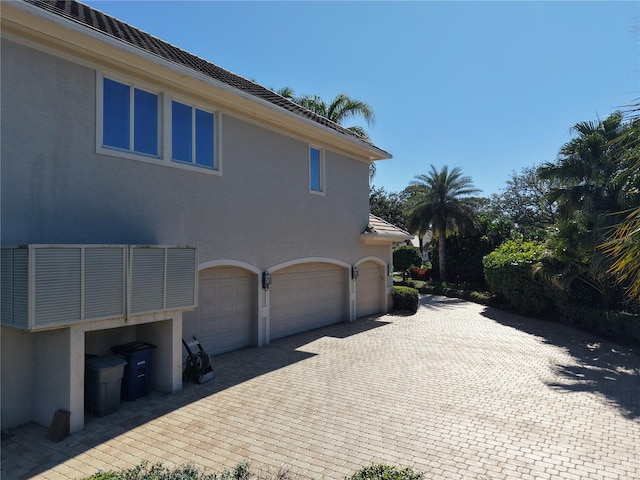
{"points": [[181, 277]]}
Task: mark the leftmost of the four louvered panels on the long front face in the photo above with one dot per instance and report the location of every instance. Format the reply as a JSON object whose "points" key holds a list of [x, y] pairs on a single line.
{"points": [[58, 286]]}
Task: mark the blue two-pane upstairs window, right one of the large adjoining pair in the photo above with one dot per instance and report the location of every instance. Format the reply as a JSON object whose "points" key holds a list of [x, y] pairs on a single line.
{"points": [[192, 135]]}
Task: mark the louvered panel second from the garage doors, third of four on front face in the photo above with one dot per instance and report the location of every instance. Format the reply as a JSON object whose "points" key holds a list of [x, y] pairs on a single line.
{"points": [[147, 279]]}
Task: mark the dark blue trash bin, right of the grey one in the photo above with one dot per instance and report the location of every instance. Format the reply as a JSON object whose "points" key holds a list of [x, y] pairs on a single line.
{"points": [[135, 382]]}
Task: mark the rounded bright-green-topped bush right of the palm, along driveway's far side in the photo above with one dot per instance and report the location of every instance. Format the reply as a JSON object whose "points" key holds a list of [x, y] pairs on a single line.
{"points": [[510, 276]]}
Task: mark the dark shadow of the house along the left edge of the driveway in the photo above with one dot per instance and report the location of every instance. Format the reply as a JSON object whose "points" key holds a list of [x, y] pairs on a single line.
{"points": [[26, 449]]}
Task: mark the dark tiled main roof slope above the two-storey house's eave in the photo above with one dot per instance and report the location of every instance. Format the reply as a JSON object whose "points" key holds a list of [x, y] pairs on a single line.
{"points": [[119, 30]]}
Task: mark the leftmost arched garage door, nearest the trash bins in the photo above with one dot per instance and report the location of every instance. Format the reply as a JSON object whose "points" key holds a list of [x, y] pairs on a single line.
{"points": [[225, 319]]}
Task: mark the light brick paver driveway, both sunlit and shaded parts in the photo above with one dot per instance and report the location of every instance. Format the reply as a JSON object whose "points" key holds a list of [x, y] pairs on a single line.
{"points": [[456, 391]]}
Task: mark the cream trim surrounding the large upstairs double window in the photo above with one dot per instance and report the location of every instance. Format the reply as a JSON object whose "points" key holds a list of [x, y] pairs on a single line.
{"points": [[164, 129]]}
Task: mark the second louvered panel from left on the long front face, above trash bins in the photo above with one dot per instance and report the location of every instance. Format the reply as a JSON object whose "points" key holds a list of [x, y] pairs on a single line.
{"points": [[104, 279]]}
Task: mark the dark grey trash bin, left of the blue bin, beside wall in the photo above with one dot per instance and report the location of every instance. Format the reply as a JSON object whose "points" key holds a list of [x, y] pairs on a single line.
{"points": [[102, 383]]}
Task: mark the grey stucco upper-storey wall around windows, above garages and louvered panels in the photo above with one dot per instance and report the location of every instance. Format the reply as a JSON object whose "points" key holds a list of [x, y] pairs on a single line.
{"points": [[57, 189]]}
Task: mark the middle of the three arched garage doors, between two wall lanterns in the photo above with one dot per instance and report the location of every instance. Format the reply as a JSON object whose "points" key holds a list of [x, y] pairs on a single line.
{"points": [[308, 296]]}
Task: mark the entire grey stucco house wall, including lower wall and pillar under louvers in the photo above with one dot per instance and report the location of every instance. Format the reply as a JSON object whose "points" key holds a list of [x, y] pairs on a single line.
{"points": [[55, 188]]}
